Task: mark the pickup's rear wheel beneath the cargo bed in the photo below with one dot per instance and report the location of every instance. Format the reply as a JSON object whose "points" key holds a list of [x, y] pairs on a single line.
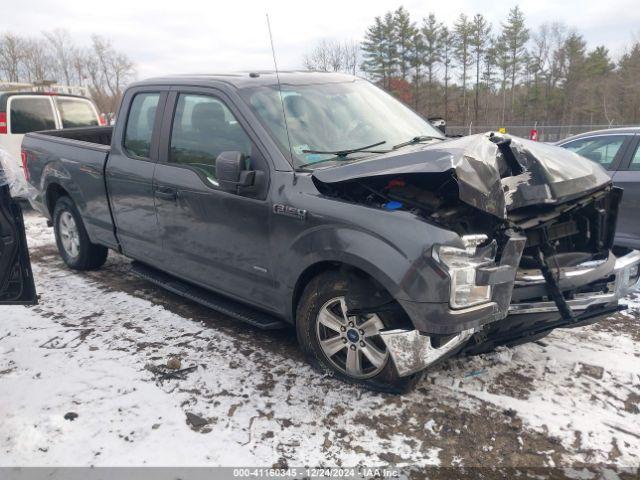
{"points": [[72, 240]]}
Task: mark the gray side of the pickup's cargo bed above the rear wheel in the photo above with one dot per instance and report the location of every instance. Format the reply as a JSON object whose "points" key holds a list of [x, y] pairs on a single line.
{"points": [[76, 158]]}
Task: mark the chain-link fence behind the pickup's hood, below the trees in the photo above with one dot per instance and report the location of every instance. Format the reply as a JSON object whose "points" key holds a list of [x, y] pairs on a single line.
{"points": [[546, 133]]}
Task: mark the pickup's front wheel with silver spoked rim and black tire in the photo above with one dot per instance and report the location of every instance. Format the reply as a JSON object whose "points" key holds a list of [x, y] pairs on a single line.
{"points": [[323, 298]]}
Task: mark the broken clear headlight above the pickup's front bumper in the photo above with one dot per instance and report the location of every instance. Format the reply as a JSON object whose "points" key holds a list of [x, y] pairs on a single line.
{"points": [[461, 265]]}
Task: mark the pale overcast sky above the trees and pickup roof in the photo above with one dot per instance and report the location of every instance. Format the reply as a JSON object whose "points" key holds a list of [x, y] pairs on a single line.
{"points": [[199, 36]]}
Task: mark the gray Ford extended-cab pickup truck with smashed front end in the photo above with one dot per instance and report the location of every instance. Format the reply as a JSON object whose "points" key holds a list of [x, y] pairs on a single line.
{"points": [[324, 203]]}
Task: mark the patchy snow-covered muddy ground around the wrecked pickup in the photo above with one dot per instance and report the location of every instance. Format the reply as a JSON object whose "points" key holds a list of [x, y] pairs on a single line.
{"points": [[95, 345]]}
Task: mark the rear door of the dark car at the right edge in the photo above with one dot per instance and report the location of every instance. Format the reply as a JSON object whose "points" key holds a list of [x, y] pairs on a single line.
{"points": [[628, 177]]}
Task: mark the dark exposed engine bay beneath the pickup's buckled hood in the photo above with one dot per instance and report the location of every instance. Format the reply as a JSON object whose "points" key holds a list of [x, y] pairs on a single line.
{"points": [[575, 231]]}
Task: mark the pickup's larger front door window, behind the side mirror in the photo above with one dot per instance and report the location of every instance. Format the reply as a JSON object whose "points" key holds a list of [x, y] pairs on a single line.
{"points": [[203, 127]]}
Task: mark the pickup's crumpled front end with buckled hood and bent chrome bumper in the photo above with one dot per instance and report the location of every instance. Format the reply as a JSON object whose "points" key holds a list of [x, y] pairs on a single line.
{"points": [[528, 216]]}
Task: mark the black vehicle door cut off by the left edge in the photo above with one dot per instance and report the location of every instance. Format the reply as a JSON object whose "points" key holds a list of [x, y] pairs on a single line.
{"points": [[16, 280]]}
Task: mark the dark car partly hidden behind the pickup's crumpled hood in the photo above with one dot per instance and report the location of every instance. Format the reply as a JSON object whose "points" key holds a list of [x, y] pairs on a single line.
{"points": [[618, 151]]}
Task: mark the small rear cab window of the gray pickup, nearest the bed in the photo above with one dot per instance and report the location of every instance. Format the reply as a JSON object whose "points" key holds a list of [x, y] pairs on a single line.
{"points": [[142, 114]]}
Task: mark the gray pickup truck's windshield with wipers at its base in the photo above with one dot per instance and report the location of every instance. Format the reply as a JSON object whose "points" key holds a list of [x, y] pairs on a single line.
{"points": [[334, 117]]}
